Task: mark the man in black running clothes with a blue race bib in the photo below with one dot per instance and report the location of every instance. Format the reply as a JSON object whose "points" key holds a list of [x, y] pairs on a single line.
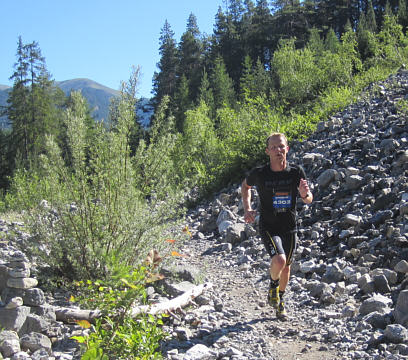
{"points": [[278, 183]]}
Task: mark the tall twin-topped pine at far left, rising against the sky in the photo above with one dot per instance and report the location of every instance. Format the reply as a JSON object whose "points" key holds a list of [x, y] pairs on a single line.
{"points": [[34, 105]]}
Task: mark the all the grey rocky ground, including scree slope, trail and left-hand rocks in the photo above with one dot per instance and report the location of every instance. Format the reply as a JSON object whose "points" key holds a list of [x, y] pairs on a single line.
{"points": [[348, 293]]}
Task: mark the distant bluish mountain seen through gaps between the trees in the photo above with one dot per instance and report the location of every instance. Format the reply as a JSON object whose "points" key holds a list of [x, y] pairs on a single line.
{"points": [[97, 95]]}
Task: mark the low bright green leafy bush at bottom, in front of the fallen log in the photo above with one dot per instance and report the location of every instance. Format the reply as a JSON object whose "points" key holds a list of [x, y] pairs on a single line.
{"points": [[117, 334]]}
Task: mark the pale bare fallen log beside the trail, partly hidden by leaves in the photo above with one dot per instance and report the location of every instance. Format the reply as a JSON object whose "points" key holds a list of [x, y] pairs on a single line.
{"points": [[70, 315]]}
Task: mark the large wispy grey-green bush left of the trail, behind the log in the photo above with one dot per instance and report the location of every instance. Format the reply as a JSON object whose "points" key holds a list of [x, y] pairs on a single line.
{"points": [[99, 211]]}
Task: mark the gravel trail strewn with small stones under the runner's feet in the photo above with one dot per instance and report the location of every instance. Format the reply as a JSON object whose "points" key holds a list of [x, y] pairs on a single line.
{"points": [[243, 326]]}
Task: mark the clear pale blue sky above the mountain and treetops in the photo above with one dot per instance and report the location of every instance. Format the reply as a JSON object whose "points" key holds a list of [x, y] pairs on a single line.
{"points": [[97, 39]]}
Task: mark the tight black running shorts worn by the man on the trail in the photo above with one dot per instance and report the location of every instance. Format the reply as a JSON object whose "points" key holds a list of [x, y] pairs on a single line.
{"points": [[283, 243]]}
